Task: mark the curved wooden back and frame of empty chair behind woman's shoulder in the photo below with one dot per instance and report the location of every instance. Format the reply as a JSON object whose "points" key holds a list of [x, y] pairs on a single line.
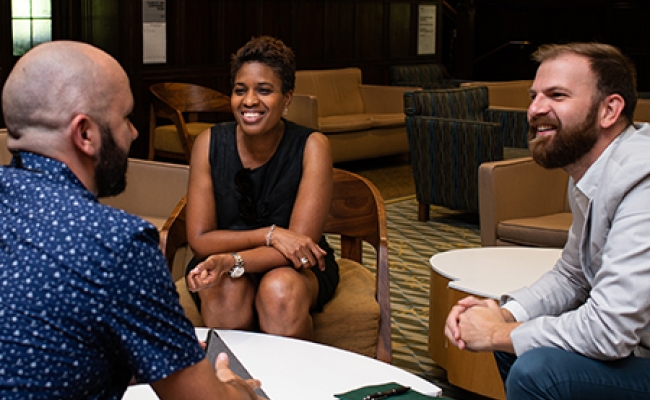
{"points": [[181, 103]]}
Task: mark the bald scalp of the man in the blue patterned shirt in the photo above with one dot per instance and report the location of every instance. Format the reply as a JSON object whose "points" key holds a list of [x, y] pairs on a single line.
{"points": [[56, 81]]}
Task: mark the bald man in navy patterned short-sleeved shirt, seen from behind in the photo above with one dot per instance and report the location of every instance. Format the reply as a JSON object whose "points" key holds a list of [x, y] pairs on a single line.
{"points": [[86, 300]]}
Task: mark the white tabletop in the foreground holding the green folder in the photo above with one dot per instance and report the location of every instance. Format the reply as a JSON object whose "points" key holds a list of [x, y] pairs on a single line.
{"points": [[292, 369]]}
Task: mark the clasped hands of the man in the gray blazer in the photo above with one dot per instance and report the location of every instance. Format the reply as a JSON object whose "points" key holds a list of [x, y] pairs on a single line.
{"points": [[479, 325]]}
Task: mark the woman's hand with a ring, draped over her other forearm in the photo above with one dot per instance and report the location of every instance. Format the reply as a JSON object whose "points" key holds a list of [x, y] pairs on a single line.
{"points": [[301, 250]]}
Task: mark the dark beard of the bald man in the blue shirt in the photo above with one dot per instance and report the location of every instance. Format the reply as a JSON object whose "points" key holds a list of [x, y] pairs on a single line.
{"points": [[110, 172]]}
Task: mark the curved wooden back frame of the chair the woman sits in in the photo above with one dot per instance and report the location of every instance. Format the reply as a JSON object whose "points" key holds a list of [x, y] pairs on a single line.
{"points": [[357, 214]]}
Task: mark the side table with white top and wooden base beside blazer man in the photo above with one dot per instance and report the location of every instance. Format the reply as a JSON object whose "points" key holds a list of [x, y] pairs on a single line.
{"points": [[486, 272]]}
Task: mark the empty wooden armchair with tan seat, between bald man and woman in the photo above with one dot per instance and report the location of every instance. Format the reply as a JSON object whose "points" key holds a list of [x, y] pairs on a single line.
{"points": [[170, 101]]}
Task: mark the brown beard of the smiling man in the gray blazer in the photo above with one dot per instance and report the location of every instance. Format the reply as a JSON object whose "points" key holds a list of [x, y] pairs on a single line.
{"points": [[568, 144]]}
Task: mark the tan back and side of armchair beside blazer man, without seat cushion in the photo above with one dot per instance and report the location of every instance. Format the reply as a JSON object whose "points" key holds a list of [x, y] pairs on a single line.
{"points": [[518, 188]]}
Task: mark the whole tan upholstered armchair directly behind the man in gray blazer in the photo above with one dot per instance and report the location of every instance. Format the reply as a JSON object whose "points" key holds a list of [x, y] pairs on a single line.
{"points": [[523, 204]]}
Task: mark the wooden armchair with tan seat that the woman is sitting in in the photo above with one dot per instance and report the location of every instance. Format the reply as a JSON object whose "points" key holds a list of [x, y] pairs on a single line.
{"points": [[358, 317]]}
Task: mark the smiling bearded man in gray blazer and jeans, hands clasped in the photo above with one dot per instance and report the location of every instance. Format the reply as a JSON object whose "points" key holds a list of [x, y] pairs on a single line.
{"points": [[582, 331]]}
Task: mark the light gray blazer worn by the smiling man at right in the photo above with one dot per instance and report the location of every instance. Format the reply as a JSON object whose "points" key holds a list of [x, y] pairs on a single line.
{"points": [[596, 300]]}
